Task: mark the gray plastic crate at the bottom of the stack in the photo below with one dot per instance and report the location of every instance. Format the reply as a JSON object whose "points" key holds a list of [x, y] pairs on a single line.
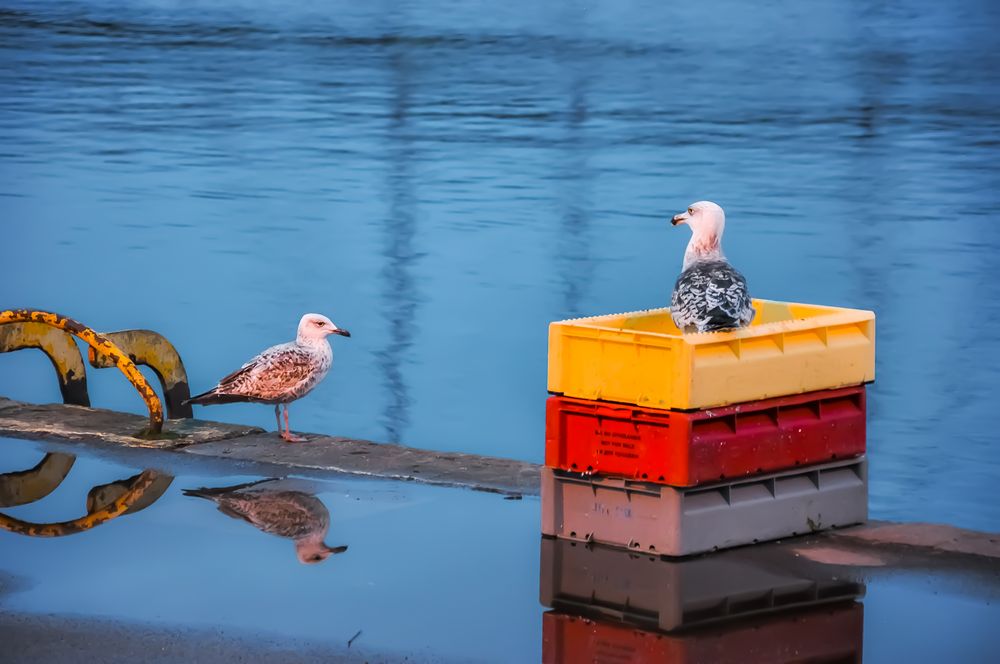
{"points": [[660, 519]]}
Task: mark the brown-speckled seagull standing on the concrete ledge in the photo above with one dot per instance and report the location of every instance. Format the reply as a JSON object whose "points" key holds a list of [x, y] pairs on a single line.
{"points": [[282, 373]]}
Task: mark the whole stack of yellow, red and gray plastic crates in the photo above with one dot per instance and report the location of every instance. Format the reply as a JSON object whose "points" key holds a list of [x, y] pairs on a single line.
{"points": [[678, 444]]}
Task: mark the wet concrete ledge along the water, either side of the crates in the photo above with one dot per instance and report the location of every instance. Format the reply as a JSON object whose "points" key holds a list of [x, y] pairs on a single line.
{"points": [[873, 544]]}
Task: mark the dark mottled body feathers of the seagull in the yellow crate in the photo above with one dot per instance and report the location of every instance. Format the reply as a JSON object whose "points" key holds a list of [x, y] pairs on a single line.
{"points": [[711, 296]]}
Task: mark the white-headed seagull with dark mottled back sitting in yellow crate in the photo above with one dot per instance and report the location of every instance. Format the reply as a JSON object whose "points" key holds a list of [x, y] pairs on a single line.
{"points": [[710, 295]]}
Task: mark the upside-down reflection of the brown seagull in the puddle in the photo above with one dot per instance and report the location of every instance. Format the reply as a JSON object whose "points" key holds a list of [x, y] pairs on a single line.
{"points": [[296, 515]]}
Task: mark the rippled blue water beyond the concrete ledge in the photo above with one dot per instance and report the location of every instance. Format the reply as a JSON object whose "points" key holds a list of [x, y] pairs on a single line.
{"points": [[445, 178]]}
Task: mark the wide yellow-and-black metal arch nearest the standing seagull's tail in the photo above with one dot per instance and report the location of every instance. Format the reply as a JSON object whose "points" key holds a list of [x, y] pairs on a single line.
{"points": [[153, 350]]}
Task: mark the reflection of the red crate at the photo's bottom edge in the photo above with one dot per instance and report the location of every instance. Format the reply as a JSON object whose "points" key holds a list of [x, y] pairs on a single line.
{"points": [[833, 634]]}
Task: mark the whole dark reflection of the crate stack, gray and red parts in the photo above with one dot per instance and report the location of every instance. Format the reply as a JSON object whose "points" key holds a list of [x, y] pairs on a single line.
{"points": [[745, 605]]}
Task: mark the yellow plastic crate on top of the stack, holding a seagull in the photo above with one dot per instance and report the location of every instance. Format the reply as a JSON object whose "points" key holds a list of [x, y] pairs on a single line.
{"points": [[642, 358]]}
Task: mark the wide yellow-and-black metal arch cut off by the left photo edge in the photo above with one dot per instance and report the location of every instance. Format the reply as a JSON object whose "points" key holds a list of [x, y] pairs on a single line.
{"points": [[62, 351]]}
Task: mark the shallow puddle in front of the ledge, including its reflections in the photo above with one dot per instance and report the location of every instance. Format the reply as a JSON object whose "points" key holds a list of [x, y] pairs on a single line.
{"points": [[433, 574]]}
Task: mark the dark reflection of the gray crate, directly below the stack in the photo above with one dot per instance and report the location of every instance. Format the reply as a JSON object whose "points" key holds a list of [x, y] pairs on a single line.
{"points": [[650, 592]]}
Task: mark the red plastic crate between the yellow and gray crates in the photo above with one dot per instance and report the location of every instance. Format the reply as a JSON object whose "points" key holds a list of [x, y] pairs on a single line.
{"points": [[691, 448]]}
